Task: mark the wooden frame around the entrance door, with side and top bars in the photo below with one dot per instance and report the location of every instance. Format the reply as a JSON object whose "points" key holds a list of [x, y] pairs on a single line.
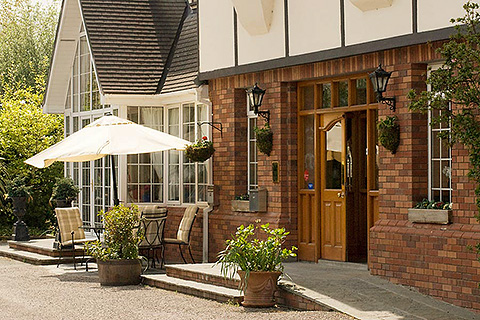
{"points": [[313, 247]]}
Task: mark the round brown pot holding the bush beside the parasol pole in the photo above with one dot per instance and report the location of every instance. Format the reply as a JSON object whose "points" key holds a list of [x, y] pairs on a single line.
{"points": [[119, 272]]}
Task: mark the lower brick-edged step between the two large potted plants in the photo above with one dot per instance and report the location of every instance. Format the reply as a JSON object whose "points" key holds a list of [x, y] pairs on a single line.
{"points": [[202, 290]]}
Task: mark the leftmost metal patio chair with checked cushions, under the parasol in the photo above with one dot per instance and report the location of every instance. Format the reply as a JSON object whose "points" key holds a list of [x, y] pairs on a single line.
{"points": [[71, 232]]}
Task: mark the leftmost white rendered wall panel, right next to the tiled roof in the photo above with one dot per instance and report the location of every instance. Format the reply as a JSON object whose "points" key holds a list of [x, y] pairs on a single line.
{"points": [[216, 35]]}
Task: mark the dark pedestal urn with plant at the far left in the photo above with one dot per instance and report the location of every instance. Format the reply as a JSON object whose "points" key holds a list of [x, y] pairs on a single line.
{"points": [[19, 193]]}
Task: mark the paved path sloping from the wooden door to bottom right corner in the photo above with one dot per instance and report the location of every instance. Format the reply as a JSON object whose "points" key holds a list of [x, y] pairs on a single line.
{"points": [[349, 287]]}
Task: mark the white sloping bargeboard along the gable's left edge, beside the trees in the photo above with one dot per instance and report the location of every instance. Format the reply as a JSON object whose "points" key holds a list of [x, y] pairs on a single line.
{"points": [[63, 55]]}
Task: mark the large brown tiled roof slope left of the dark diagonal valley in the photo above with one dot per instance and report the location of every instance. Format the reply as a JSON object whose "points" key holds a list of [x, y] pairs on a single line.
{"points": [[132, 42]]}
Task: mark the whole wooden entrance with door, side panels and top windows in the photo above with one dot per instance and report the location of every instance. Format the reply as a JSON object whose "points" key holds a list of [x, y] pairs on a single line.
{"points": [[337, 168]]}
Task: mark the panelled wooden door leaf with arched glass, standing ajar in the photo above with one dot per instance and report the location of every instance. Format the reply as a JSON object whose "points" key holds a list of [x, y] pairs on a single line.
{"points": [[333, 202]]}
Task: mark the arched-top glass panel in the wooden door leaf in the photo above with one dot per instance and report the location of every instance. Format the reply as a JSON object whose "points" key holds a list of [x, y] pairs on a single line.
{"points": [[334, 145]]}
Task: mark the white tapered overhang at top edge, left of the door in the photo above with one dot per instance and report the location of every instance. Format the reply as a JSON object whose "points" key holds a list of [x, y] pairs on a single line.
{"points": [[255, 15]]}
